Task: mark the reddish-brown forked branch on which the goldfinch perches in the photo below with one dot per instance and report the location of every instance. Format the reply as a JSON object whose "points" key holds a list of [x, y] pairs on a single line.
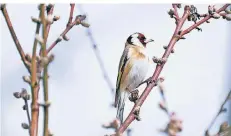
{"points": [[174, 39]]}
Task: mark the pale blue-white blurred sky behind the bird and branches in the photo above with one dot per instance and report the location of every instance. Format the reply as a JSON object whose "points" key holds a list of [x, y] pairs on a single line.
{"points": [[197, 76]]}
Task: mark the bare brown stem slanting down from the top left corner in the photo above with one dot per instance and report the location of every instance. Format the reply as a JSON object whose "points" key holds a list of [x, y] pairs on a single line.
{"points": [[13, 34]]}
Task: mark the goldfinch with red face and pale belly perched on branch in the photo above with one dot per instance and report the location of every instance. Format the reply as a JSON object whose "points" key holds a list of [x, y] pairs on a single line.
{"points": [[133, 67]]}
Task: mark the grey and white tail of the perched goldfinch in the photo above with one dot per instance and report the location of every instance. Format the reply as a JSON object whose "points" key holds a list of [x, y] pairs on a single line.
{"points": [[121, 102]]}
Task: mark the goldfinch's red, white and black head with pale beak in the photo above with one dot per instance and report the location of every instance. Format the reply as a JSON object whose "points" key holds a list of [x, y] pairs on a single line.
{"points": [[138, 39]]}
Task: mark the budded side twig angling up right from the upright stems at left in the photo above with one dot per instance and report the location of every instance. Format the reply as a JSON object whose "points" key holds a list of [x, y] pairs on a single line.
{"points": [[70, 24]]}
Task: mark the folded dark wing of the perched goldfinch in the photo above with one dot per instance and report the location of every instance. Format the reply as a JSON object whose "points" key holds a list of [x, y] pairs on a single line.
{"points": [[123, 62]]}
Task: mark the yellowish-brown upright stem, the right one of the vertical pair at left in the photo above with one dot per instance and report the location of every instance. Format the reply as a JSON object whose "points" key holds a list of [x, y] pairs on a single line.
{"points": [[45, 72]]}
